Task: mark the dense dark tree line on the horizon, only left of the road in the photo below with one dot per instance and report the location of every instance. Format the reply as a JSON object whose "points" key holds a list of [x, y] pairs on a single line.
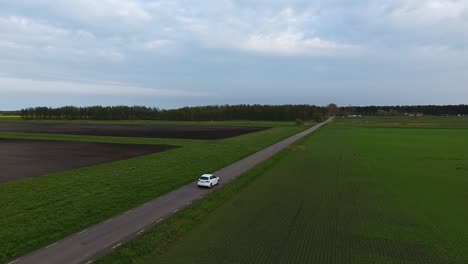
{"points": [[199, 113]]}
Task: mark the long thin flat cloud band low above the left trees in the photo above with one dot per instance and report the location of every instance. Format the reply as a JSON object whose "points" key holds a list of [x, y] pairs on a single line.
{"points": [[10, 86]]}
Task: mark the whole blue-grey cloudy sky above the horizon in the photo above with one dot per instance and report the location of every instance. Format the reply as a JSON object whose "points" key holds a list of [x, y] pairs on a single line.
{"points": [[172, 53]]}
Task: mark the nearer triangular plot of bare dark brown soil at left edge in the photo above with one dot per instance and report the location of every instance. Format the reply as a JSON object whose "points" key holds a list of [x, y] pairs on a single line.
{"points": [[27, 158]]}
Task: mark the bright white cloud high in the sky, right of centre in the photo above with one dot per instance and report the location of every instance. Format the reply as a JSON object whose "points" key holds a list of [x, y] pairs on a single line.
{"points": [[285, 33]]}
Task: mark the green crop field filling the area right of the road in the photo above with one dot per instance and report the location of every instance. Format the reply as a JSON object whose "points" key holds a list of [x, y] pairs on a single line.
{"points": [[350, 193]]}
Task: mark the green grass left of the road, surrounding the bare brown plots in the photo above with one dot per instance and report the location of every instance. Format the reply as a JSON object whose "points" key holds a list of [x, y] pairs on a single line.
{"points": [[38, 211]]}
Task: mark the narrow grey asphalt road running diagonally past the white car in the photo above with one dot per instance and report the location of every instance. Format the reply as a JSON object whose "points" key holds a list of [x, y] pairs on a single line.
{"points": [[89, 244]]}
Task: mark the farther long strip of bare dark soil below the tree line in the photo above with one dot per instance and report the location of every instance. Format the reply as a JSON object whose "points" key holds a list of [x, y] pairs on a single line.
{"points": [[150, 131]]}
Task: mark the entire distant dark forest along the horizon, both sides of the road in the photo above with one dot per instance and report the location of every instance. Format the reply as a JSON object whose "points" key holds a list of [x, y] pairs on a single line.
{"points": [[233, 112]]}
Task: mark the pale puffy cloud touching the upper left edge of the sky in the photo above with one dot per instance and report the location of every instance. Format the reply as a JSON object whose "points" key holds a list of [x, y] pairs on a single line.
{"points": [[31, 39]]}
